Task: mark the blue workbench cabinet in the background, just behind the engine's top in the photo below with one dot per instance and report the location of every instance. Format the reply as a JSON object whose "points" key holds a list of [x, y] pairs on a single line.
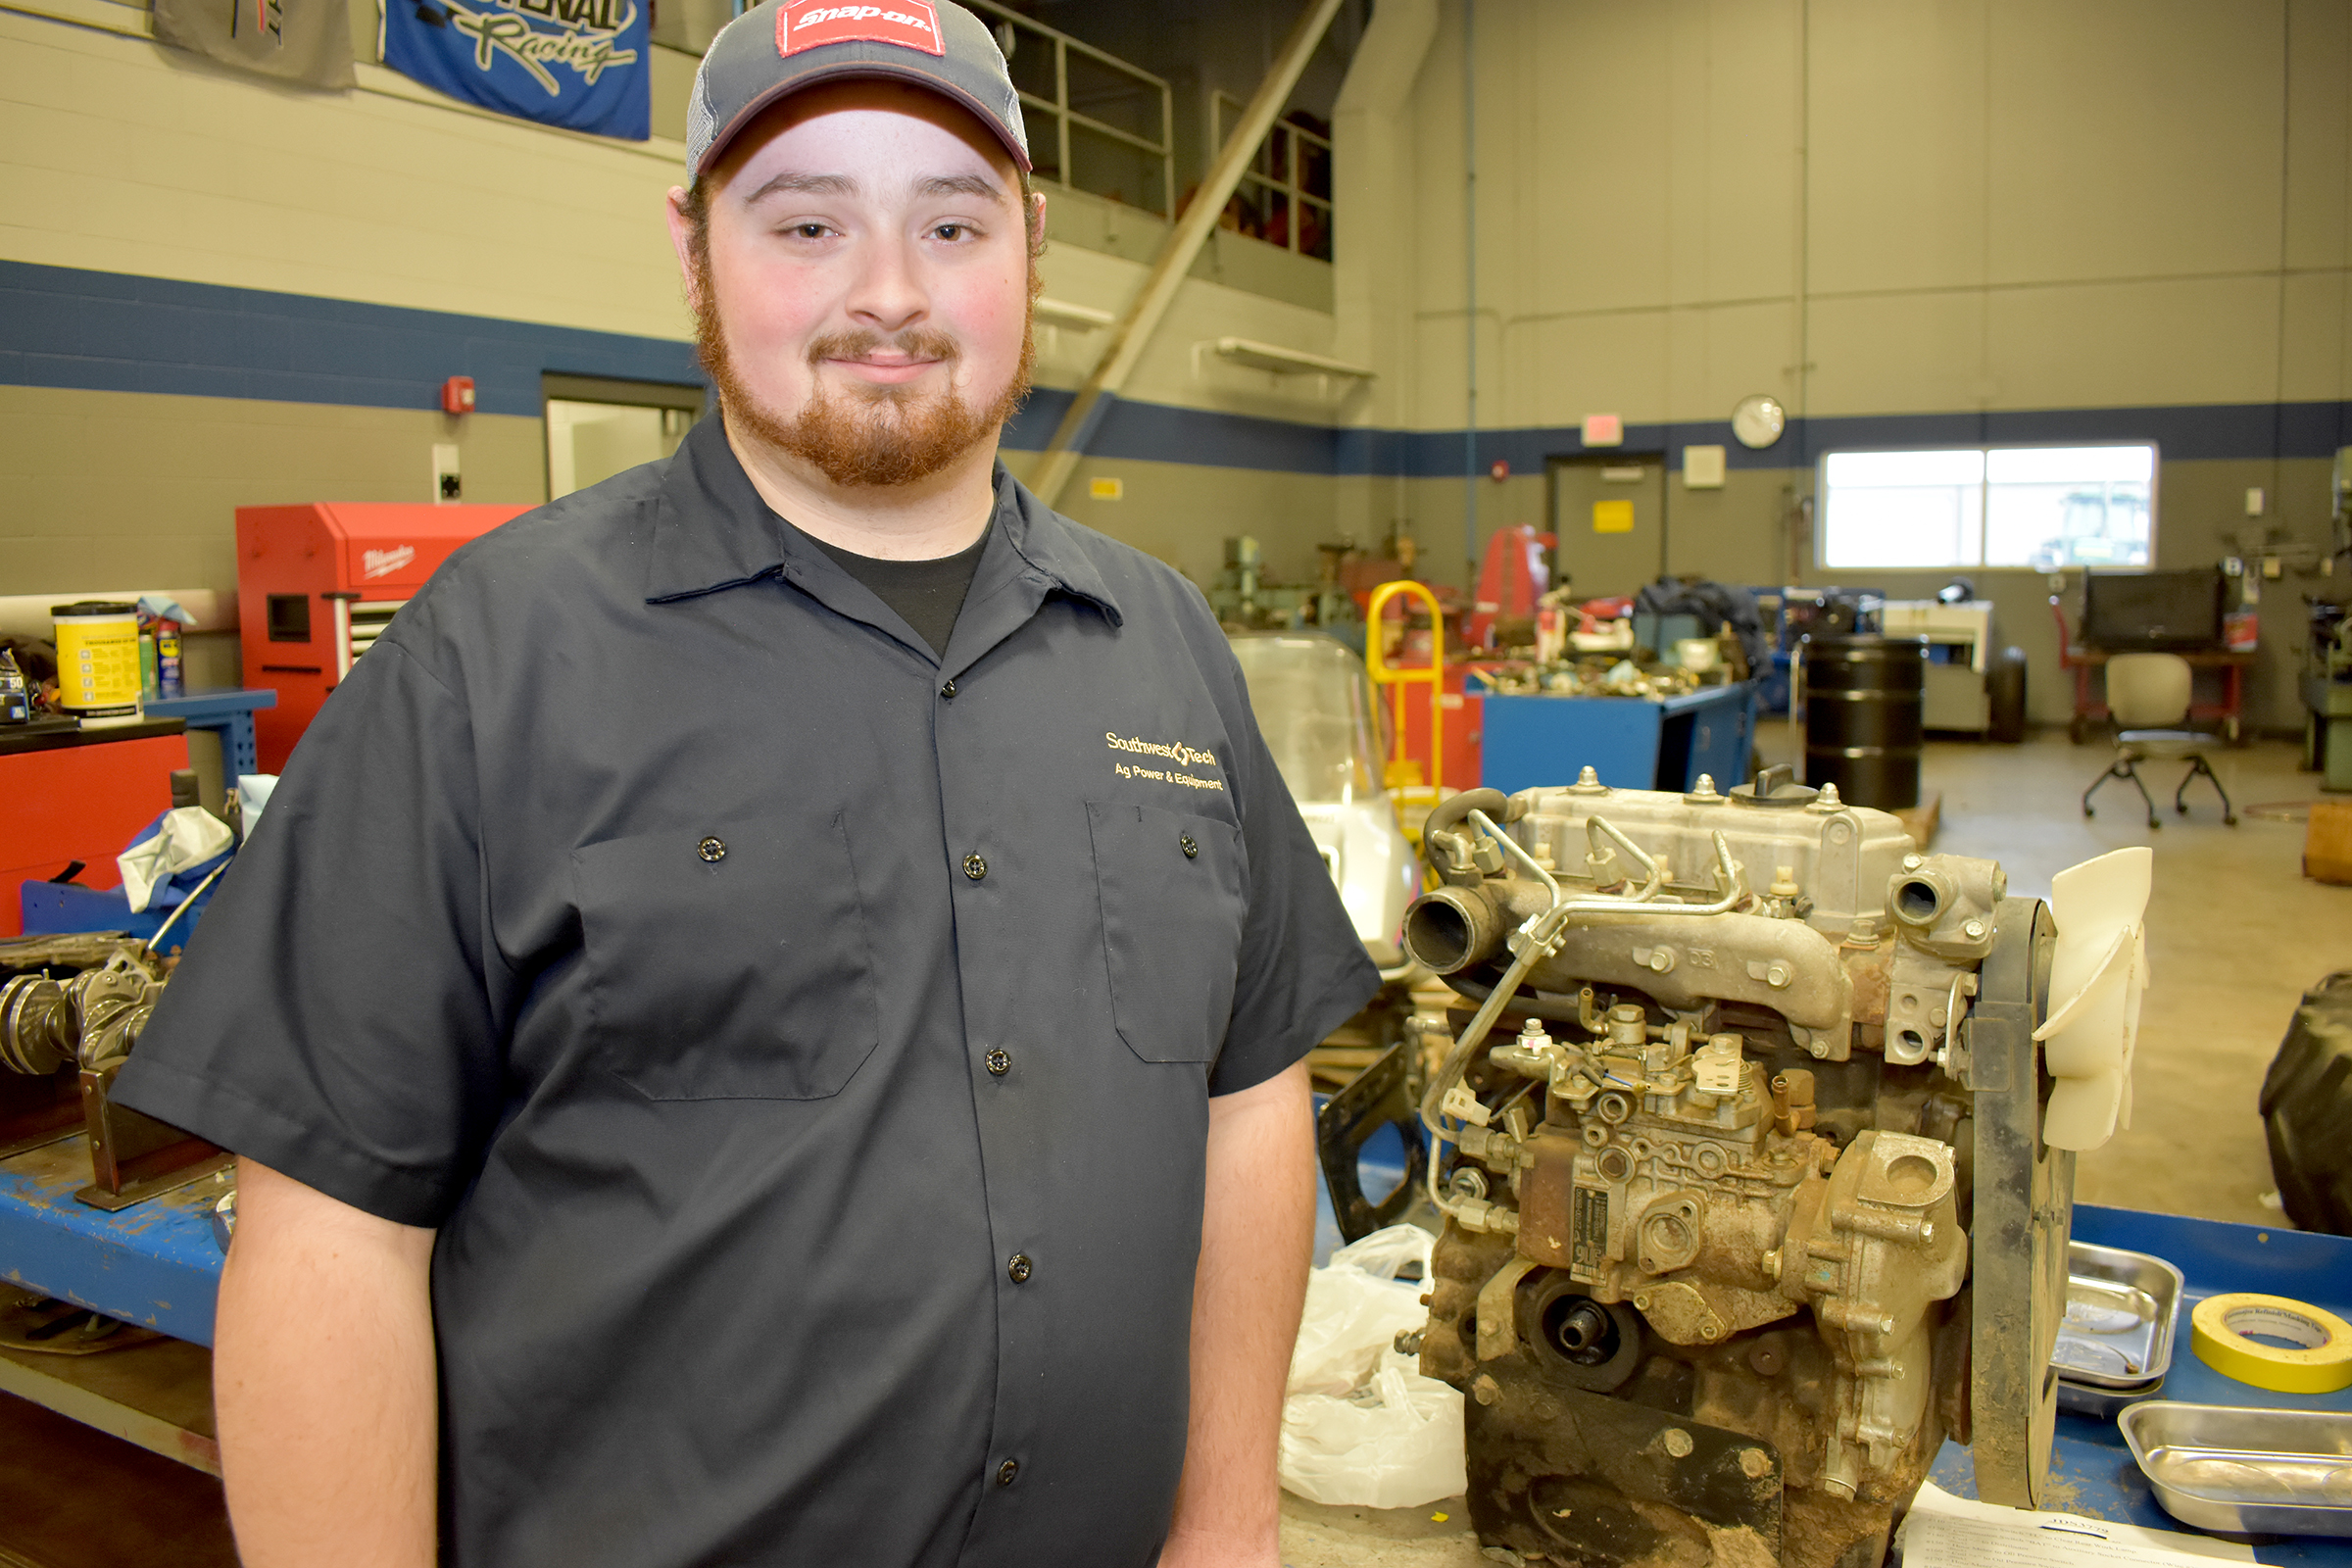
{"points": [[1631, 742]]}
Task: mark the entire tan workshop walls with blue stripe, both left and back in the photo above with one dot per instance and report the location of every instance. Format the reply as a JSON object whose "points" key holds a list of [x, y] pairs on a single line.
{"points": [[1916, 222]]}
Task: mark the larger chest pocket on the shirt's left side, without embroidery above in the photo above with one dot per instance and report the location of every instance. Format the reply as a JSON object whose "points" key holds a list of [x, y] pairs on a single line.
{"points": [[733, 963]]}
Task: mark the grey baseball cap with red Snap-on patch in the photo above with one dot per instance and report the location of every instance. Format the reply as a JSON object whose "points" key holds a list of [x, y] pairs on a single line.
{"points": [[784, 46]]}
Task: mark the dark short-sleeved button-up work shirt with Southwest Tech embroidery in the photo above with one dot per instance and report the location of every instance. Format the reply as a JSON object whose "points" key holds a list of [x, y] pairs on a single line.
{"points": [[801, 1043]]}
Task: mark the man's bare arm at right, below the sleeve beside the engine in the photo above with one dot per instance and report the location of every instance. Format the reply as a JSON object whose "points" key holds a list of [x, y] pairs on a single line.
{"points": [[1255, 1247]]}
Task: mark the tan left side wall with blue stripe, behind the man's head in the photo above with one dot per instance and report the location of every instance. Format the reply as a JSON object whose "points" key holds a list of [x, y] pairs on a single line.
{"points": [[220, 290]]}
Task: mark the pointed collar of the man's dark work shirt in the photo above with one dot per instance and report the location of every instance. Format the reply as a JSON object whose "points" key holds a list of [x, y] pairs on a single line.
{"points": [[716, 532]]}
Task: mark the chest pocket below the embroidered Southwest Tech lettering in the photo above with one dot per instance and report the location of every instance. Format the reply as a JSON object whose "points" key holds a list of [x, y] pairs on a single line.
{"points": [[1172, 927]]}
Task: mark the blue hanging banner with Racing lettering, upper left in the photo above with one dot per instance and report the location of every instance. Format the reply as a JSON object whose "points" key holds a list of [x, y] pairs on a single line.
{"points": [[580, 65]]}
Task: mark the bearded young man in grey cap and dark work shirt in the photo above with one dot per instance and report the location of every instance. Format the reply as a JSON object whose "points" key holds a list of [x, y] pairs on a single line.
{"points": [[763, 1021]]}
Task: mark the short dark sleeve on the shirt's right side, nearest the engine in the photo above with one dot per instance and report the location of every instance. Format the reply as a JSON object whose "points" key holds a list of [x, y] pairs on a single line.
{"points": [[1304, 970]]}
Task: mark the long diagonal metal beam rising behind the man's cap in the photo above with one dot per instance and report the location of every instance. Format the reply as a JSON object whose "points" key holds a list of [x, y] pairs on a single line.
{"points": [[1142, 319]]}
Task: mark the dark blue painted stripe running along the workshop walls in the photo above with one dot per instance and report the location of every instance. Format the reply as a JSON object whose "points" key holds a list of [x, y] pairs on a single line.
{"points": [[152, 335]]}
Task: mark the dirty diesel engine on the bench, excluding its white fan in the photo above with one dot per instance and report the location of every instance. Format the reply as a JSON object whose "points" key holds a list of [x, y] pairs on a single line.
{"points": [[1744, 1172]]}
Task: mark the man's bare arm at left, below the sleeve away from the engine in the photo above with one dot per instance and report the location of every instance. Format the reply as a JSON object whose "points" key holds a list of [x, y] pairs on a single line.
{"points": [[323, 1383]]}
